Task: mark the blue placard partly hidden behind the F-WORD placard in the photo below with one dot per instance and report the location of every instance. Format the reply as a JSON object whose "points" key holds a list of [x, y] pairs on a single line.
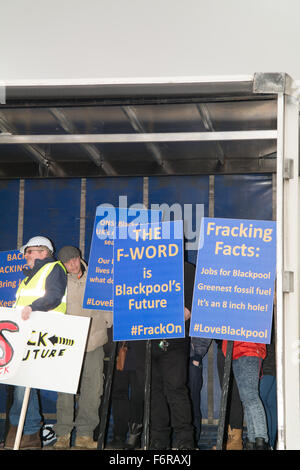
{"points": [[99, 286]]}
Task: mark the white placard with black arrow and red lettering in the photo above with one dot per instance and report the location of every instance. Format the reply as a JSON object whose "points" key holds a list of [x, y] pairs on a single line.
{"points": [[52, 347]]}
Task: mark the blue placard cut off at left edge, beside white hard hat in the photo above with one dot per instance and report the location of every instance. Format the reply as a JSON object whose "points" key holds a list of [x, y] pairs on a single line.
{"points": [[12, 264]]}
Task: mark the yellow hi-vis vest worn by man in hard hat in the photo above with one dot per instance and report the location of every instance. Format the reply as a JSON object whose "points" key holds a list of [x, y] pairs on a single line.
{"points": [[28, 293]]}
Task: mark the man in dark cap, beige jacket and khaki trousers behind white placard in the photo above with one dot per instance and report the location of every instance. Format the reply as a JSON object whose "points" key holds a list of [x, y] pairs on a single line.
{"points": [[91, 381]]}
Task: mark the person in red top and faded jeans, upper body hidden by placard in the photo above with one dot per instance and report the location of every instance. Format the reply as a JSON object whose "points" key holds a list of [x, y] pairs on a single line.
{"points": [[246, 365]]}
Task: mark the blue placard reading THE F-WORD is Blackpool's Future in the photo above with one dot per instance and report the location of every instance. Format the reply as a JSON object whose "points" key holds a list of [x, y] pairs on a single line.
{"points": [[149, 283]]}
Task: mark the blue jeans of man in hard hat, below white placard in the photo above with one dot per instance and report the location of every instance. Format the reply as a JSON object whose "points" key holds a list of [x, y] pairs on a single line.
{"points": [[33, 418]]}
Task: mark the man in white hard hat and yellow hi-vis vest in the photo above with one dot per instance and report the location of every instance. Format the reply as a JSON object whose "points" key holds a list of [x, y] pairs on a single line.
{"points": [[42, 289]]}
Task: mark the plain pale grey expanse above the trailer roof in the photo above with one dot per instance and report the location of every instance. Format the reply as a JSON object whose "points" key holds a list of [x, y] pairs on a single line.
{"points": [[100, 39]]}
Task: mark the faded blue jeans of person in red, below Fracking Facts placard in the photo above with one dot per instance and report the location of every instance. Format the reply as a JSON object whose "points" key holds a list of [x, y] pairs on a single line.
{"points": [[246, 372]]}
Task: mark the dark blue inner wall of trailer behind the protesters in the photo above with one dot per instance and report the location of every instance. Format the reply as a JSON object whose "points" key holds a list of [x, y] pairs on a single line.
{"points": [[64, 210]]}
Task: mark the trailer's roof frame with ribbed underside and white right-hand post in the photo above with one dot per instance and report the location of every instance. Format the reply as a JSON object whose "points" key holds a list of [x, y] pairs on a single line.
{"points": [[187, 126]]}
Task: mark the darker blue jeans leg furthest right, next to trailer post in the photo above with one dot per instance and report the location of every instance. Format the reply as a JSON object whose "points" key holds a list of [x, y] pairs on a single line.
{"points": [[267, 388]]}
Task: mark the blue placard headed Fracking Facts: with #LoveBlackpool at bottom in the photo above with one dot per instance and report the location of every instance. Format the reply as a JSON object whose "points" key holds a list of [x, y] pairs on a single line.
{"points": [[234, 283]]}
